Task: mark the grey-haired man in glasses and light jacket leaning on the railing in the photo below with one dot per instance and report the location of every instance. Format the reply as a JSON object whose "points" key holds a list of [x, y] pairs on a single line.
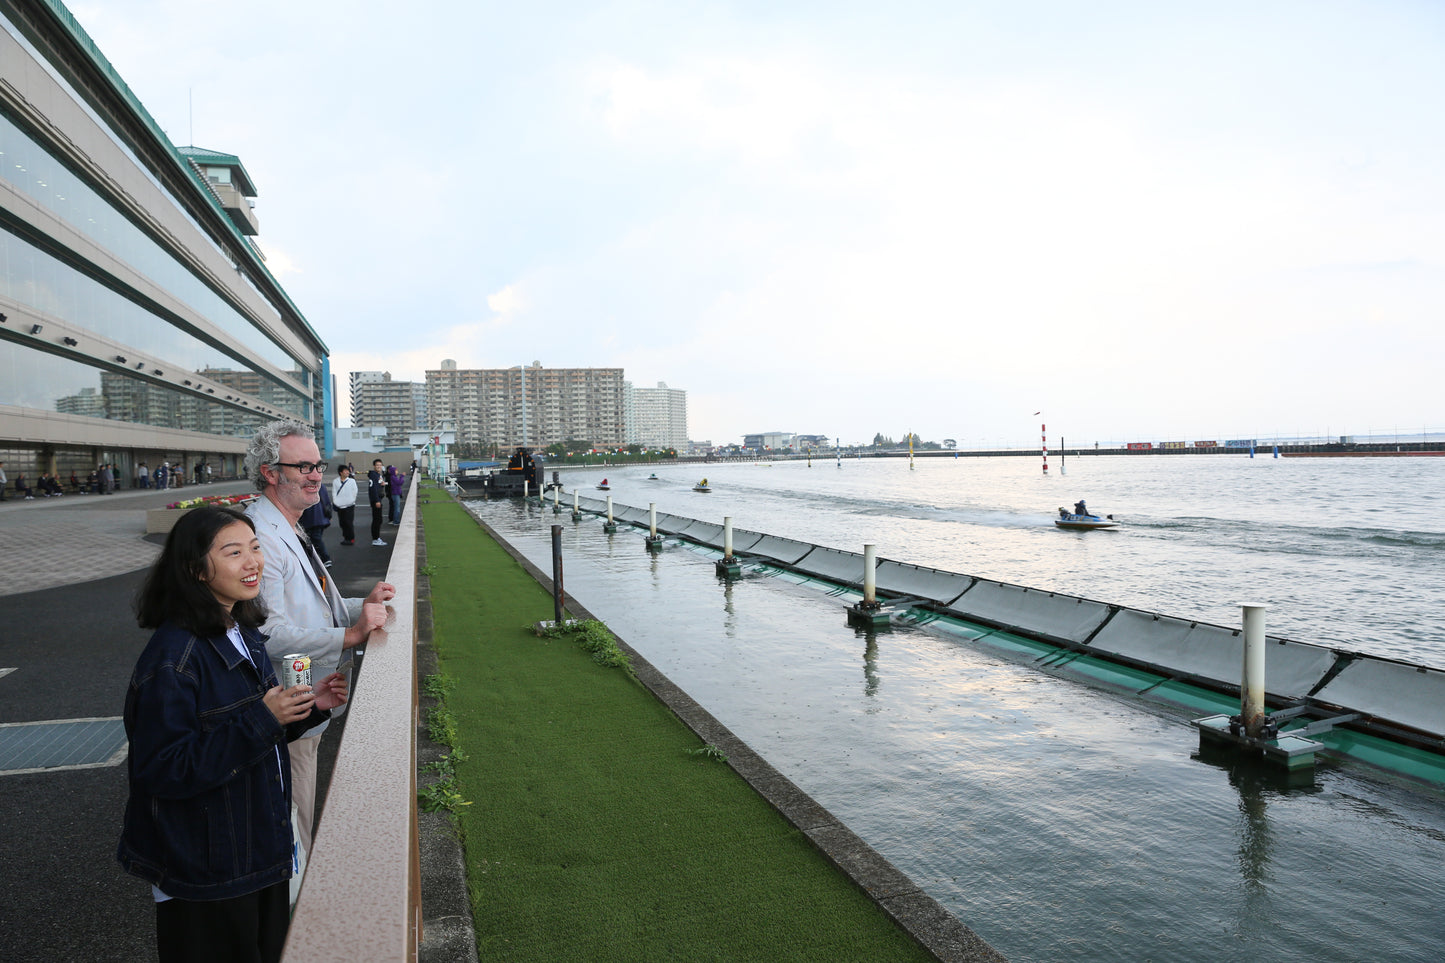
{"points": [[306, 612]]}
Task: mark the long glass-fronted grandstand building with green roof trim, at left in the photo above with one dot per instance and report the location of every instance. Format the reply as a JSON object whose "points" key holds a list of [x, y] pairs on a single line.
{"points": [[138, 320]]}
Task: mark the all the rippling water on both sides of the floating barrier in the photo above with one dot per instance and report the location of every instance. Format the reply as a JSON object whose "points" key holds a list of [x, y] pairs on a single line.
{"points": [[1058, 822]]}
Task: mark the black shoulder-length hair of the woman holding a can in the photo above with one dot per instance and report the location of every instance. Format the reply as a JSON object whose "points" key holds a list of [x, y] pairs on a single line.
{"points": [[174, 591]]}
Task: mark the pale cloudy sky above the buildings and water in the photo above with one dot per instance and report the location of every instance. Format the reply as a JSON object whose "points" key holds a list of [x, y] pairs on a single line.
{"points": [[1147, 221]]}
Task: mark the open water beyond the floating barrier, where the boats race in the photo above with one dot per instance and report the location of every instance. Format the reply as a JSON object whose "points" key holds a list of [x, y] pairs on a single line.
{"points": [[1347, 553]]}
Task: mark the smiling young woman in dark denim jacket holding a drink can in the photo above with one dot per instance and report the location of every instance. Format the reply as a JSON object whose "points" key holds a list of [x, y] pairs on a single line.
{"points": [[209, 818]]}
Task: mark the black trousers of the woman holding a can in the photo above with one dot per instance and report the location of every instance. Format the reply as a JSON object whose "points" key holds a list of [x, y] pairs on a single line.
{"points": [[249, 929]]}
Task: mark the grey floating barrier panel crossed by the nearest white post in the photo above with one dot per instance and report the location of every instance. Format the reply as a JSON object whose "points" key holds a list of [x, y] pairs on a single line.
{"points": [[1210, 651]]}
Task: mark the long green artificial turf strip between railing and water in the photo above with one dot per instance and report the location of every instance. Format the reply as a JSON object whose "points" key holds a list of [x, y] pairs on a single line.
{"points": [[593, 835]]}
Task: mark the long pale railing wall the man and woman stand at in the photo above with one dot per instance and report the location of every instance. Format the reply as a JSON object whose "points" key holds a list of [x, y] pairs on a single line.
{"points": [[363, 896]]}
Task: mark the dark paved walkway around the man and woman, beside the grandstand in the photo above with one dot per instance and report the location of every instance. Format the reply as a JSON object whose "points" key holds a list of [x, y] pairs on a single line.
{"points": [[73, 566]]}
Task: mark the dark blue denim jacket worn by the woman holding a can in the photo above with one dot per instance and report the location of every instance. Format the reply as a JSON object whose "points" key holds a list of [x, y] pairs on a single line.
{"points": [[209, 815]]}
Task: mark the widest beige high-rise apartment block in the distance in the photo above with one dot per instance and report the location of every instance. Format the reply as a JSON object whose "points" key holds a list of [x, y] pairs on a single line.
{"points": [[532, 406]]}
